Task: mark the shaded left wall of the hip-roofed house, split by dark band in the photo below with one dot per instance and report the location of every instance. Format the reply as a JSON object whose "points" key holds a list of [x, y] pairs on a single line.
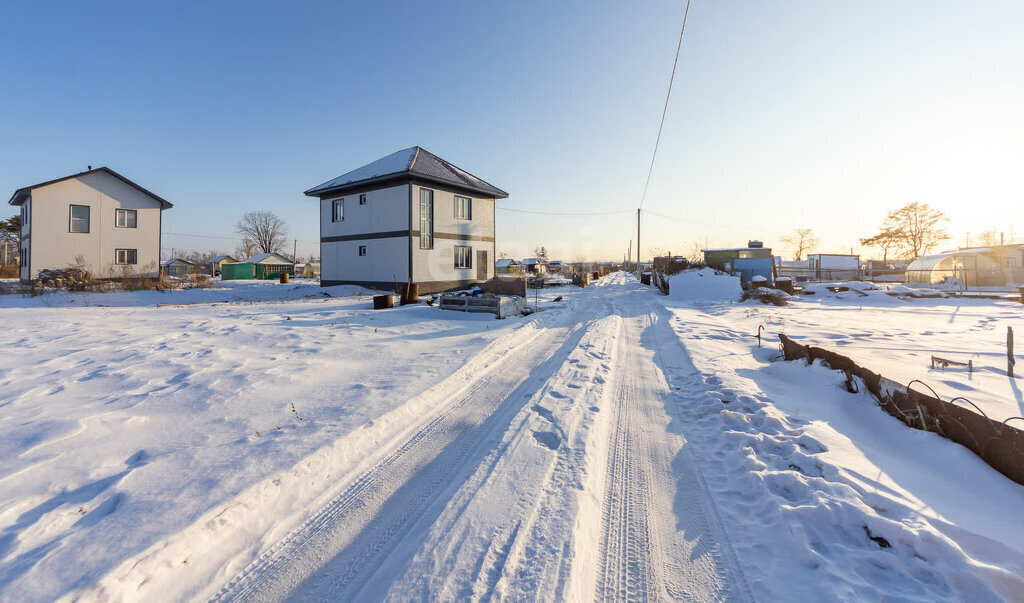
{"points": [[388, 260]]}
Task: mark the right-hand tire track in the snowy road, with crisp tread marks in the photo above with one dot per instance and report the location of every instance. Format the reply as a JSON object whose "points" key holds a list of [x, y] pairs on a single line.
{"points": [[660, 539]]}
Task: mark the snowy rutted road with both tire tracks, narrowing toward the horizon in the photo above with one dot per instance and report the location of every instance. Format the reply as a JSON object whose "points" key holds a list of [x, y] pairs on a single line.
{"points": [[592, 379]]}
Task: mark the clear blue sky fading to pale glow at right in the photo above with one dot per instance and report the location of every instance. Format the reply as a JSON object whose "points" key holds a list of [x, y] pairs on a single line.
{"points": [[823, 115]]}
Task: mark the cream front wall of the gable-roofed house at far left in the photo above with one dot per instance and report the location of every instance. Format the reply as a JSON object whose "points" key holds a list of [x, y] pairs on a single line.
{"points": [[53, 246]]}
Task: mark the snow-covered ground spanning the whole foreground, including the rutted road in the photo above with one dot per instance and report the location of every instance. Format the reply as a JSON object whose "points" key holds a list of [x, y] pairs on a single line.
{"points": [[618, 445]]}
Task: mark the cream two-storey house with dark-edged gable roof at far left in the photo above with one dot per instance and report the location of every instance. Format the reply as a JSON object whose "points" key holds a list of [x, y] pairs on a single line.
{"points": [[97, 217]]}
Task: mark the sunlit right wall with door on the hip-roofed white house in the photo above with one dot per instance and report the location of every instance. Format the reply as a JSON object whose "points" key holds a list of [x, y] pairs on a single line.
{"points": [[439, 265]]}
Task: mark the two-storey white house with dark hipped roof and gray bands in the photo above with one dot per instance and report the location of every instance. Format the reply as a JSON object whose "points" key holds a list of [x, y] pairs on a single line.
{"points": [[410, 217]]}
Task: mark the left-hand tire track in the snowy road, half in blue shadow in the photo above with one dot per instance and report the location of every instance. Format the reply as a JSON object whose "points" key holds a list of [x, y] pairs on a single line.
{"points": [[338, 550]]}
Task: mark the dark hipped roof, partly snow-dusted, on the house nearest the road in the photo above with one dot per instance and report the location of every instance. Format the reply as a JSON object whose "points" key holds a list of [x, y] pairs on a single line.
{"points": [[412, 162]]}
